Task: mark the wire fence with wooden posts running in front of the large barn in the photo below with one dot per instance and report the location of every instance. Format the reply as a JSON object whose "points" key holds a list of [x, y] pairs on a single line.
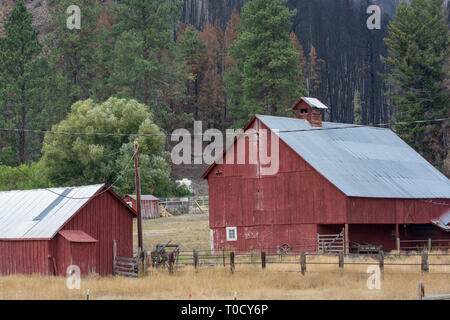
{"points": [[264, 257]]}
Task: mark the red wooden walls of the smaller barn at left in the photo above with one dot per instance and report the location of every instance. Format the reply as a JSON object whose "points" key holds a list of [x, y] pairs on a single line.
{"points": [[105, 218]]}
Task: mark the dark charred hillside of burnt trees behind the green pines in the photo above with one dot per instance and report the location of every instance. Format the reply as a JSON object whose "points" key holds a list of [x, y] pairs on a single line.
{"points": [[337, 29]]}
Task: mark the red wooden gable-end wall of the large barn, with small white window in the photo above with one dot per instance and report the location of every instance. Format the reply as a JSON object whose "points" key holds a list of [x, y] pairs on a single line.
{"points": [[281, 208]]}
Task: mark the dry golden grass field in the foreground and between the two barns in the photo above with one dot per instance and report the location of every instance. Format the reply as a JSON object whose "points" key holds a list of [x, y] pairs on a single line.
{"points": [[277, 281]]}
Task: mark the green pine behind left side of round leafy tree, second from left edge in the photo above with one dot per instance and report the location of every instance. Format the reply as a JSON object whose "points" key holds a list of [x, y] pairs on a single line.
{"points": [[75, 54]]}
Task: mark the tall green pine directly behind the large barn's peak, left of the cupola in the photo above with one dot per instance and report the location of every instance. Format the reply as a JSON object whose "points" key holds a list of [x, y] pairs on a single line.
{"points": [[267, 63]]}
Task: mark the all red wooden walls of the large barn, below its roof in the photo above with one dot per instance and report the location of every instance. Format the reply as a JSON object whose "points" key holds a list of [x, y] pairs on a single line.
{"points": [[295, 204]]}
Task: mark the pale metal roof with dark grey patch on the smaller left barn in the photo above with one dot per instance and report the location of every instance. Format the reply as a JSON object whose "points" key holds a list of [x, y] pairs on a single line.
{"points": [[39, 214]]}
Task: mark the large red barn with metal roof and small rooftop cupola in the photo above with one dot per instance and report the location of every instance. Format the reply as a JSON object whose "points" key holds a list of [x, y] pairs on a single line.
{"points": [[332, 177]]}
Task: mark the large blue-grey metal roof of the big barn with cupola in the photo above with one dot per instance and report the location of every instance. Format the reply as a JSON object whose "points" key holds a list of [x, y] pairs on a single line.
{"points": [[362, 161]]}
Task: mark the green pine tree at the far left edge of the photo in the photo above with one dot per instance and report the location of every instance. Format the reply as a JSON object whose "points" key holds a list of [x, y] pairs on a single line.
{"points": [[25, 88]]}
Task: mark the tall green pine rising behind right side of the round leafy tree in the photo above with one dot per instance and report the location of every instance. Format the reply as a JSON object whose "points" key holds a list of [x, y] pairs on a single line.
{"points": [[145, 65]]}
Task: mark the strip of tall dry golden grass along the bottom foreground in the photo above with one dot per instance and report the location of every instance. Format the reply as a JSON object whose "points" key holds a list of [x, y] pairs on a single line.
{"points": [[249, 281]]}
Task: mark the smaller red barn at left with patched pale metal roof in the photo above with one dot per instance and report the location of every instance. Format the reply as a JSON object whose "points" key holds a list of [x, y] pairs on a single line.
{"points": [[45, 231]]}
